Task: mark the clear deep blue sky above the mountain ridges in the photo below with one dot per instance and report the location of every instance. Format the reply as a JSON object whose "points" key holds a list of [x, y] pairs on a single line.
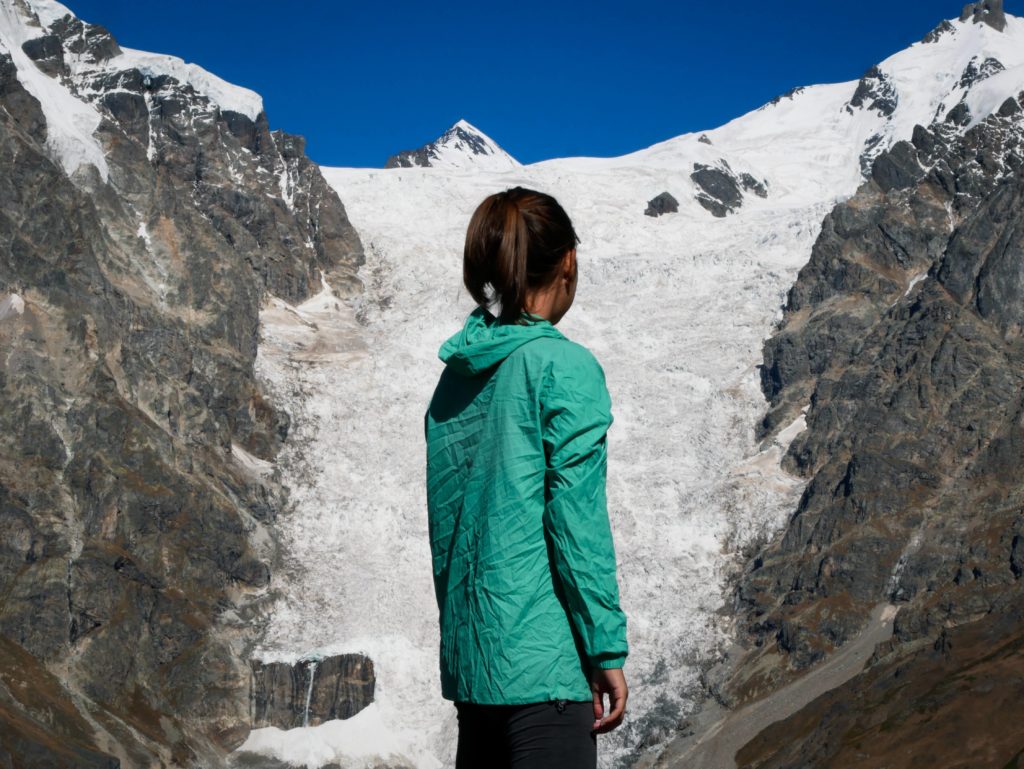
{"points": [[362, 81]]}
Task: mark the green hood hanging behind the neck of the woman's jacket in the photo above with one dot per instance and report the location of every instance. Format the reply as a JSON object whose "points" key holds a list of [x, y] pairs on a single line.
{"points": [[485, 341]]}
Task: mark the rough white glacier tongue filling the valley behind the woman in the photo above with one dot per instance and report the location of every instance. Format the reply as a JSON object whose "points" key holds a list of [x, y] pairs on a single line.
{"points": [[676, 311]]}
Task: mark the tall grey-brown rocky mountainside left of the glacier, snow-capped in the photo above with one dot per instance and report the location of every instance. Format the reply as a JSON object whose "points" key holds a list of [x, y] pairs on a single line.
{"points": [[137, 477]]}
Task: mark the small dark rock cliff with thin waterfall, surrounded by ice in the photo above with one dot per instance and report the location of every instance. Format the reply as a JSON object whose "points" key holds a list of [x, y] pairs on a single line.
{"points": [[311, 693]]}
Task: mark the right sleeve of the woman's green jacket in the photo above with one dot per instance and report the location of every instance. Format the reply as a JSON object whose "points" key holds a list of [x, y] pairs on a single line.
{"points": [[576, 414]]}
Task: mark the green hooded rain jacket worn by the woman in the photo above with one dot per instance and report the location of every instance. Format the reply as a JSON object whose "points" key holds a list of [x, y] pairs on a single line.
{"points": [[524, 560]]}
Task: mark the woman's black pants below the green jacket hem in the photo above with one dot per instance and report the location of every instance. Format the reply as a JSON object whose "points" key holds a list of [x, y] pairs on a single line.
{"points": [[556, 735]]}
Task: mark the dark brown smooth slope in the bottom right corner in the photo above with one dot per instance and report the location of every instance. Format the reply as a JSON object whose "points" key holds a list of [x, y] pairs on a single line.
{"points": [[969, 678]]}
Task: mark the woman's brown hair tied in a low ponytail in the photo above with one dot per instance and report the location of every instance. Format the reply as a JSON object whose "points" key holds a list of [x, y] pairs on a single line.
{"points": [[517, 240]]}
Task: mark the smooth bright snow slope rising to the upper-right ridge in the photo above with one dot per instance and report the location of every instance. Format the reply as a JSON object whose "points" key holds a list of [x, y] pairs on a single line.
{"points": [[818, 142]]}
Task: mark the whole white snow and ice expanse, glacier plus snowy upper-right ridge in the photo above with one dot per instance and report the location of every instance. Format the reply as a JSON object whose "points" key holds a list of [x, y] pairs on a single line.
{"points": [[676, 309]]}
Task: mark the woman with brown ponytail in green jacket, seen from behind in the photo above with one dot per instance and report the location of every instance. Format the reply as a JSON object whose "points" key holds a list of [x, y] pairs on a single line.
{"points": [[533, 637]]}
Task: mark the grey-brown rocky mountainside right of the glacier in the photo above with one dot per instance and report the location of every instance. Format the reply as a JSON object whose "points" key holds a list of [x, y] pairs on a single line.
{"points": [[905, 336]]}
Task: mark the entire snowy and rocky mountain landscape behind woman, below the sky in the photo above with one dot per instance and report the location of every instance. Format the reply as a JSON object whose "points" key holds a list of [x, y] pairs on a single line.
{"points": [[216, 550]]}
